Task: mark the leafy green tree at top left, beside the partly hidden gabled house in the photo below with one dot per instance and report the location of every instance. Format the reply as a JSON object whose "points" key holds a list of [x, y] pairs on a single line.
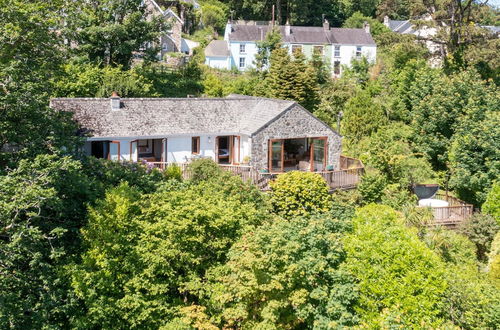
{"points": [[110, 31]]}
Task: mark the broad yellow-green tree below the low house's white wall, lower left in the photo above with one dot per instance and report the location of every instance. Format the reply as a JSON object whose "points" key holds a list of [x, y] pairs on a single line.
{"points": [[167, 241]]}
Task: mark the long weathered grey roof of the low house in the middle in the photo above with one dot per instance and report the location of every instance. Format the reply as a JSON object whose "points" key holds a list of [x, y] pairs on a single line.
{"points": [[141, 117]]}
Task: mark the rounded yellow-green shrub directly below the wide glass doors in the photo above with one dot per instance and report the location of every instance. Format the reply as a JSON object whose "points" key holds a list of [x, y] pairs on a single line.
{"points": [[300, 193]]}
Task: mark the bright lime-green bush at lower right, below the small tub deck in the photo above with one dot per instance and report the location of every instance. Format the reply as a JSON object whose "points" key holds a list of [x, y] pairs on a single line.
{"points": [[396, 273]]}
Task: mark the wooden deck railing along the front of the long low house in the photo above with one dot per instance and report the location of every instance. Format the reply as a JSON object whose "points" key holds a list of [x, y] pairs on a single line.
{"points": [[346, 178]]}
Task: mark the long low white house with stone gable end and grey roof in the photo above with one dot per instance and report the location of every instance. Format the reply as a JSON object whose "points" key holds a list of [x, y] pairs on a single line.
{"points": [[270, 135]]}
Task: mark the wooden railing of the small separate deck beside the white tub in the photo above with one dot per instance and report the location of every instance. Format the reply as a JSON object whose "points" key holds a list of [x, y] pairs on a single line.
{"points": [[452, 215]]}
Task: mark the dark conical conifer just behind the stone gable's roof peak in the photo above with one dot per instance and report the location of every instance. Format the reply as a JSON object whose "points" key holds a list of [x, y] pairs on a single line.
{"points": [[292, 79]]}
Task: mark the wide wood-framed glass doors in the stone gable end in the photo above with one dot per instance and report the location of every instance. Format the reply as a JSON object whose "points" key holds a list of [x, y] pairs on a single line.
{"points": [[304, 154]]}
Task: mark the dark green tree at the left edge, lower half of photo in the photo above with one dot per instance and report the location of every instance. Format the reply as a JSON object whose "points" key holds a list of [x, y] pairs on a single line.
{"points": [[42, 206]]}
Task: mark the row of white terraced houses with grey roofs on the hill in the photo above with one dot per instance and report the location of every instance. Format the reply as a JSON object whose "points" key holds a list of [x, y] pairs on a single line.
{"points": [[337, 46]]}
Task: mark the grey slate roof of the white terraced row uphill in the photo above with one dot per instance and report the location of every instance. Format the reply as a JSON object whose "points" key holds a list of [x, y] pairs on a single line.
{"points": [[303, 34]]}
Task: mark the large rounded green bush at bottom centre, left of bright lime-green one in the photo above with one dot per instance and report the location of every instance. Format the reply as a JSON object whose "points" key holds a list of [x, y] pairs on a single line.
{"points": [[286, 274]]}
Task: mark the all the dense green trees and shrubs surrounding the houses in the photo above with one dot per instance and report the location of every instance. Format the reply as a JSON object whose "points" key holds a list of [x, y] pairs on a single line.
{"points": [[88, 243]]}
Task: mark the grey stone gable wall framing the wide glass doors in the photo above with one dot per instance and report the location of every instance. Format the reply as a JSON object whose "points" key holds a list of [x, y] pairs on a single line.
{"points": [[295, 123]]}
